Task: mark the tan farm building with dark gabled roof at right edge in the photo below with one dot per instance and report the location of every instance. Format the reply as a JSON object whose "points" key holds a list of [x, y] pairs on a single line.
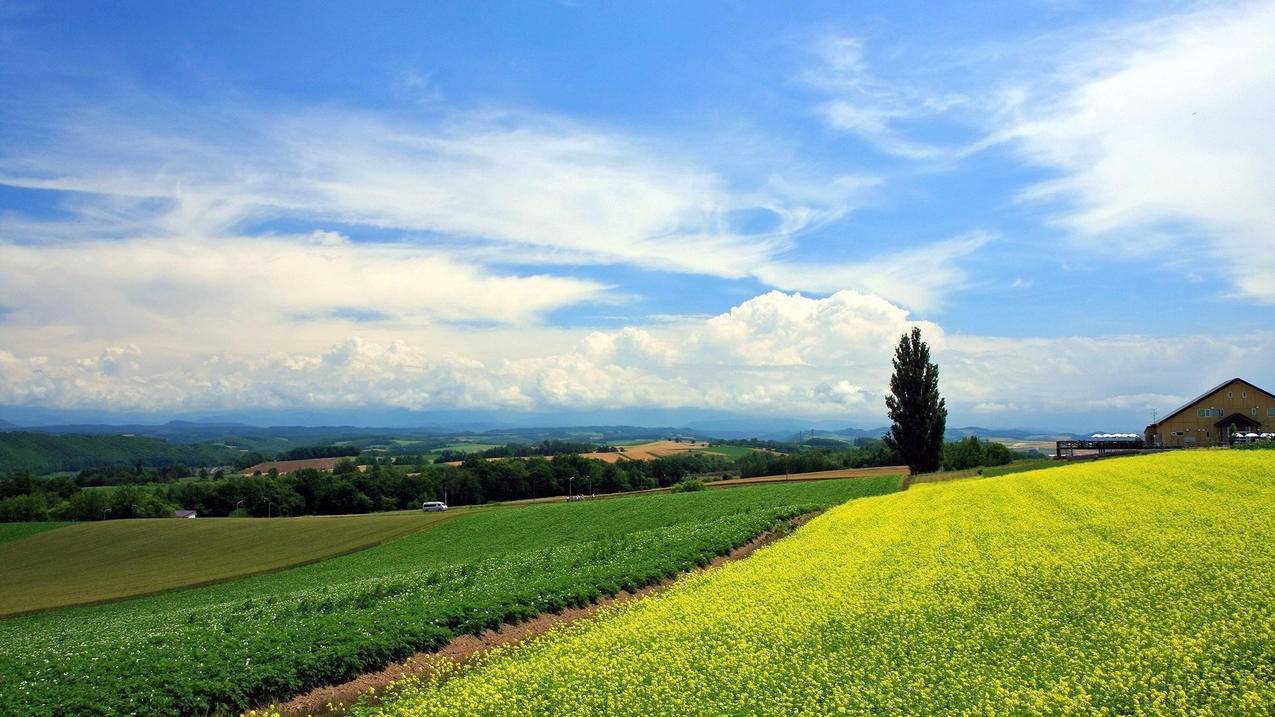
{"points": [[1232, 409]]}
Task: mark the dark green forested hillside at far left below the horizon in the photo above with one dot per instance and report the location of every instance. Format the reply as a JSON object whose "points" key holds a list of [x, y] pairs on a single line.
{"points": [[45, 454]]}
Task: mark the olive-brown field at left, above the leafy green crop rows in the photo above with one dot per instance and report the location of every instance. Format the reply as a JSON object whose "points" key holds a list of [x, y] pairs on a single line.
{"points": [[114, 559]]}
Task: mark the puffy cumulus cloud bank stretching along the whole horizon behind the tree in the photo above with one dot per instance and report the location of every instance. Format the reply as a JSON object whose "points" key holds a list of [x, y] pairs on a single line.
{"points": [[778, 354]]}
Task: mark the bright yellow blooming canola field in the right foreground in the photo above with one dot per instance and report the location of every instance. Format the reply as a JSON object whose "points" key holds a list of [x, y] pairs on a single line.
{"points": [[1135, 586]]}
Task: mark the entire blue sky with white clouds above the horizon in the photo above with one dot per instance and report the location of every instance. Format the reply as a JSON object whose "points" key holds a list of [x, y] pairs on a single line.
{"points": [[527, 209]]}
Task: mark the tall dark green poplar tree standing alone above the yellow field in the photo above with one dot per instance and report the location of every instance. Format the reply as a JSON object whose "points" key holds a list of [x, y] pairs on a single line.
{"points": [[919, 415]]}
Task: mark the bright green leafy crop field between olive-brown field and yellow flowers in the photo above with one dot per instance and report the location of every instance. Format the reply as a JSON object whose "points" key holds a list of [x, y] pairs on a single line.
{"points": [[233, 646]]}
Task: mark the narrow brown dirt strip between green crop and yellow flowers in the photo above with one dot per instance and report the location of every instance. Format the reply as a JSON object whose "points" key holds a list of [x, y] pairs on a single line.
{"points": [[330, 701]]}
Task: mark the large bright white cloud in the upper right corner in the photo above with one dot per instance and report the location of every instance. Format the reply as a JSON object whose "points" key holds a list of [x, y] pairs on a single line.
{"points": [[1165, 142]]}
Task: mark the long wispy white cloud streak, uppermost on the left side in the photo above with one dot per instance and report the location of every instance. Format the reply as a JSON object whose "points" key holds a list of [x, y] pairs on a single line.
{"points": [[517, 188]]}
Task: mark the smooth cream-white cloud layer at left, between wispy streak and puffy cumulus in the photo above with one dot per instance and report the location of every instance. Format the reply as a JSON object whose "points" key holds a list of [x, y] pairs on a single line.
{"points": [[234, 289]]}
